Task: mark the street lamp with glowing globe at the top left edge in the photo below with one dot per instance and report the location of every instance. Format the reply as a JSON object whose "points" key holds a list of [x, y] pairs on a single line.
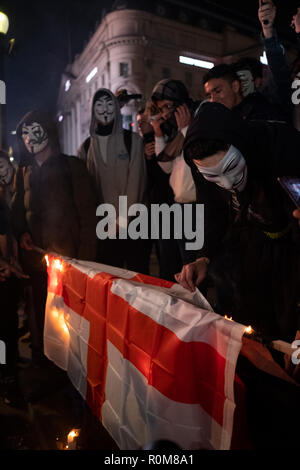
{"points": [[4, 25]]}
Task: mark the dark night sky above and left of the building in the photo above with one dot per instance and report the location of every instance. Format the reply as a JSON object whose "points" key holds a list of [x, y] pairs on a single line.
{"points": [[41, 31]]}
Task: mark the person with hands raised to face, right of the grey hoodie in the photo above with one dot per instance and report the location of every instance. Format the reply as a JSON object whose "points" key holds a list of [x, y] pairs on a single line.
{"points": [[175, 111]]}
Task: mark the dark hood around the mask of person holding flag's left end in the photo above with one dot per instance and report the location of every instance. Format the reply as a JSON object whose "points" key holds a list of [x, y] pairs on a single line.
{"points": [[49, 125]]}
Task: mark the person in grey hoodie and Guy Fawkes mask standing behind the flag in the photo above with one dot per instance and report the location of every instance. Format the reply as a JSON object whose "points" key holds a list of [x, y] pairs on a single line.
{"points": [[115, 160]]}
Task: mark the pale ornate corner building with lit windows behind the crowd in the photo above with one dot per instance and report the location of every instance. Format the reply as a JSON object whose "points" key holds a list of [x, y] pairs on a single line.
{"points": [[134, 49]]}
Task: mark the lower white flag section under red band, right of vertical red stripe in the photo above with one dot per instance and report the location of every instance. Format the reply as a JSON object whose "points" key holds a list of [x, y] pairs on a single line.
{"points": [[136, 414]]}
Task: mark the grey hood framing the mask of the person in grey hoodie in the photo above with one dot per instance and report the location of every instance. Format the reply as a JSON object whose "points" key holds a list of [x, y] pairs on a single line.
{"points": [[117, 126]]}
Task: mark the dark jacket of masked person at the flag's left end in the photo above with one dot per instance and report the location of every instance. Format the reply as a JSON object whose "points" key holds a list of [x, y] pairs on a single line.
{"points": [[55, 205]]}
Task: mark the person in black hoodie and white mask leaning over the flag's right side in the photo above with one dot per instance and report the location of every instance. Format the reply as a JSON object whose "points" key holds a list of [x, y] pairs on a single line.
{"points": [[251, 251]]}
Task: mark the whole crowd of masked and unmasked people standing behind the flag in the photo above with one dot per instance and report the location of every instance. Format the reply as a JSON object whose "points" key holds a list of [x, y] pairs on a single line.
{"points": [[225, 152]]}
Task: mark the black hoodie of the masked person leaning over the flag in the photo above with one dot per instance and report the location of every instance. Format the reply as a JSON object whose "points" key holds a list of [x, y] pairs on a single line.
{"points": [[254, 246]]}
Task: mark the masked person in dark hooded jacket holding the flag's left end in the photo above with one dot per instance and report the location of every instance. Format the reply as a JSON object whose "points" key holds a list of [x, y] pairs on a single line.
{"points": [[53, 209]]}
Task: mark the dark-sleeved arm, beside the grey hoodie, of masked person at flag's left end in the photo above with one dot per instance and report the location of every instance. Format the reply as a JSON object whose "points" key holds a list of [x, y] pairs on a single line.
{"points": [[85, 203]]}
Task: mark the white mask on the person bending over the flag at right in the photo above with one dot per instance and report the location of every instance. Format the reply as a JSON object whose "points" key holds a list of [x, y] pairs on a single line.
{"points": [[230, 173]]}
